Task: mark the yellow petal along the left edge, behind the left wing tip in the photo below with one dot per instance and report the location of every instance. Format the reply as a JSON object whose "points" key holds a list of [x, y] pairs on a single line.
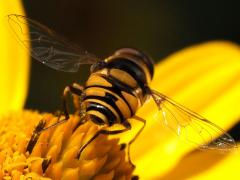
{"points": [[14, 62]]}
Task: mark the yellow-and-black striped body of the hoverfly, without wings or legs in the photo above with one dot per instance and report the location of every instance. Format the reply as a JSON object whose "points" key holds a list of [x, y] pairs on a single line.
{"points": [[114, 92]]}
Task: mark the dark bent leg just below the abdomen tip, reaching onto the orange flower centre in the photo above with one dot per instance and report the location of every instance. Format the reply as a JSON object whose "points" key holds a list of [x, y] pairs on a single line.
{"points": [[103, 131]]}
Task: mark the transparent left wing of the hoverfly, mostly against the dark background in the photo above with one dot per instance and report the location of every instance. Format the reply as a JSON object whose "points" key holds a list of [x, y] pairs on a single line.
{"points": [[48, 47]]}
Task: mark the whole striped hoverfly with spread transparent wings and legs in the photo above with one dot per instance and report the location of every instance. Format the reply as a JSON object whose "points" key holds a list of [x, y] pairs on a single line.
{"points": [[116, 88]]}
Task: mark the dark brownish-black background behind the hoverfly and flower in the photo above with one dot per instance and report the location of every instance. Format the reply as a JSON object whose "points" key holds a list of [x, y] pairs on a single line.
{"points": [[158, 27]]}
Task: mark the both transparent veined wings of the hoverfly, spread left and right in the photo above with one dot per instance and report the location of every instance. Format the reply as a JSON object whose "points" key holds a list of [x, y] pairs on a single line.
{"points": [[60, 54]]}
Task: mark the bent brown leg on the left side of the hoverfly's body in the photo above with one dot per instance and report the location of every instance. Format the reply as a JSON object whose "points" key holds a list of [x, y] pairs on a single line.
{"points": [[74, 90]]}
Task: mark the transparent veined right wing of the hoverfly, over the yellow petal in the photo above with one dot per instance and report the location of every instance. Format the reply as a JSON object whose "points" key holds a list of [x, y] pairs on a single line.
{"points": [[192, 127]]}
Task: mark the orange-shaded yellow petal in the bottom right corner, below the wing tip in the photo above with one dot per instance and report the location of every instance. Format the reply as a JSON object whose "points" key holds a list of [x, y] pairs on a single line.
{"points": [[206, 165]]}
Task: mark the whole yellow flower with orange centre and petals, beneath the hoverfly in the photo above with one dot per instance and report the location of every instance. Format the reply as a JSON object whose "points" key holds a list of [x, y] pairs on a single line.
{"points": [[204, 78]]}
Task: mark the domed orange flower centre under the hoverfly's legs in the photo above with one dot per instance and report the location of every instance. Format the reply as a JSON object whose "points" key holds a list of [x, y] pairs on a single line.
{"points": [[51, 154]]}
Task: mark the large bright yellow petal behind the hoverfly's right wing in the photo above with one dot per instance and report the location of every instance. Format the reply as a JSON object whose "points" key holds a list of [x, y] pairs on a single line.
{"points": [[204, 78]]}
